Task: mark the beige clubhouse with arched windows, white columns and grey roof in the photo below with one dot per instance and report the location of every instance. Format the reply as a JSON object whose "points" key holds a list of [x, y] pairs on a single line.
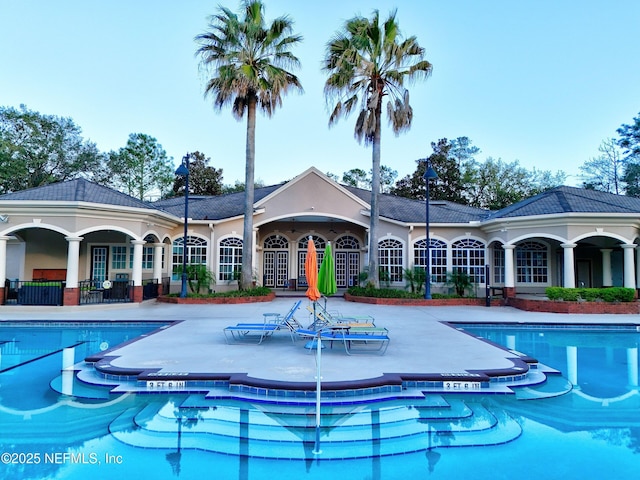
{"points": [[94, 244]]}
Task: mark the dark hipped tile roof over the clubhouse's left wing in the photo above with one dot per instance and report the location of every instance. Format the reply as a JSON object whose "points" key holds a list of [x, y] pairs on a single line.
{"points": [[77, 190]]}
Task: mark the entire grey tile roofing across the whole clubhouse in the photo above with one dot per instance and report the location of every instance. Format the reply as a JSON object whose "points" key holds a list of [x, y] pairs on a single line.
{"points": [[554, 201]]}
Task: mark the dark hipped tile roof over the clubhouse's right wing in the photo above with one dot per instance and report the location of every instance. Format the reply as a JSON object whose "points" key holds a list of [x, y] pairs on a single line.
{"points": [[570, 200]]}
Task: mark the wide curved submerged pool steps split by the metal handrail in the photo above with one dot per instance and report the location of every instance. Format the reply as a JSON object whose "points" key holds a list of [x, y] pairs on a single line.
{"points": [[271, 431]]}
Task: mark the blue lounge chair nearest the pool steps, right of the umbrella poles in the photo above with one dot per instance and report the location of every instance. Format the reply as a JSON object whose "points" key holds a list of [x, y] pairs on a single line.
{"points": [[360, 342]]}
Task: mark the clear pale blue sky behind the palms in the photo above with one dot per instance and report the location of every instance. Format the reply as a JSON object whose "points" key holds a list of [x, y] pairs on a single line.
{"points": [[543, 82]]}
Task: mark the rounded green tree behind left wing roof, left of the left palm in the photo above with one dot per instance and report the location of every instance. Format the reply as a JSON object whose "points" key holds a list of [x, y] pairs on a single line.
{"points": [[141, 168]]}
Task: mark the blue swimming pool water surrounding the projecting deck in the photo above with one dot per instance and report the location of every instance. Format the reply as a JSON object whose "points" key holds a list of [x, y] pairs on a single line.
{"points": [[588, 430]]}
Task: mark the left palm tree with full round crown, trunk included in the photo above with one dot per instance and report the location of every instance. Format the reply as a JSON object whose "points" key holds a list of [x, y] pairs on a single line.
{"points": [[248, 61]]}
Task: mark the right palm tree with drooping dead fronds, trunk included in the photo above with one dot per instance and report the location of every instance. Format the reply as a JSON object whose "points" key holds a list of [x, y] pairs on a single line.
{"points": [[366, 61]]}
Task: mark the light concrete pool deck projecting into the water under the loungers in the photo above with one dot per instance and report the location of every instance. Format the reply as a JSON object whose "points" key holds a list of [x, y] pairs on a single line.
{"points": [[422, 344]]}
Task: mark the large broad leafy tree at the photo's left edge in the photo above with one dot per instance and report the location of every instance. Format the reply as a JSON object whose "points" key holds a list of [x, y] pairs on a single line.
{"points": [[37, 149]]}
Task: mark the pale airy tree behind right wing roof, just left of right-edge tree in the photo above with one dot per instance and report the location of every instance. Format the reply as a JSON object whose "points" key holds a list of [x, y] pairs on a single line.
{"points": [[606, 171]]}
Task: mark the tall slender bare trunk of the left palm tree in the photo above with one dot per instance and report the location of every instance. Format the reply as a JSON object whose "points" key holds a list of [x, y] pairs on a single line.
{"points": [[247, 235]]}
